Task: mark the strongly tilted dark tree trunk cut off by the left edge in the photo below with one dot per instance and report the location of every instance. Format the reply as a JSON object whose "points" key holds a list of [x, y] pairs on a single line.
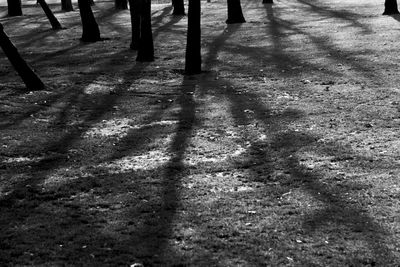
{"points": [[31, 80]]}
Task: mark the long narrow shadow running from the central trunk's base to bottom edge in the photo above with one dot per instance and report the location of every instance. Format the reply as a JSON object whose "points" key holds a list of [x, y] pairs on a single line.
{"points": [[156, 234]]}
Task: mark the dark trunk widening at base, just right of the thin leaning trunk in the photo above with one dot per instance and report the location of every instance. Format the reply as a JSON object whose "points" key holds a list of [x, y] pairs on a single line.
{"points": [[90, 29]]}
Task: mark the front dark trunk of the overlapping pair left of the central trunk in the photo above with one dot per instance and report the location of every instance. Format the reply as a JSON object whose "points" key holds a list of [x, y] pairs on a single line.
{"points": [[145, 44]]}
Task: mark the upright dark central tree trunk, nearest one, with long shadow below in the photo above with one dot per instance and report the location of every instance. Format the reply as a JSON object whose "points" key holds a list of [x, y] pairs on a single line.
{"points": [[193, 43]]}
